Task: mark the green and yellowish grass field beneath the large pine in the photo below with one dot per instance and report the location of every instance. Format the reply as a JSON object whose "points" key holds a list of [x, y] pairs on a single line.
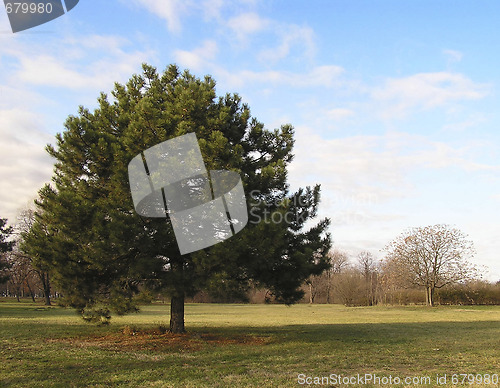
{"points": [[246, 345]]}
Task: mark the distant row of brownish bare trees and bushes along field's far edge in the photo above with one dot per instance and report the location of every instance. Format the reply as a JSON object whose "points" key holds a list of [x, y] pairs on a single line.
{"points": [[362, 282]]}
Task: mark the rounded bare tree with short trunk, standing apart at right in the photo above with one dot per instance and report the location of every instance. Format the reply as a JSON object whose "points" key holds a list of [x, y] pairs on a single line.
{"points": [[432, 257]]}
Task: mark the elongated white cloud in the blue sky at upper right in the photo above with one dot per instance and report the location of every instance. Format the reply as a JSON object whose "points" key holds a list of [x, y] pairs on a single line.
{"points": [[422, 91]]}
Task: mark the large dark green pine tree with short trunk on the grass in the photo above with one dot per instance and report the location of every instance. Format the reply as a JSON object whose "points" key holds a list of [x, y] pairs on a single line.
{"points": [[101, 252]]}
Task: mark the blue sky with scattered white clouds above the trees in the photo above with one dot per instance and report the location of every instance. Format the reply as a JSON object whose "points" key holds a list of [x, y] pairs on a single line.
{"points": [[395, 103]]}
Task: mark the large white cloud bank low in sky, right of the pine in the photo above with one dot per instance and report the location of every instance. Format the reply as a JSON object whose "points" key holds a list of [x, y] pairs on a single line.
{"points": [[372, 186]]}
